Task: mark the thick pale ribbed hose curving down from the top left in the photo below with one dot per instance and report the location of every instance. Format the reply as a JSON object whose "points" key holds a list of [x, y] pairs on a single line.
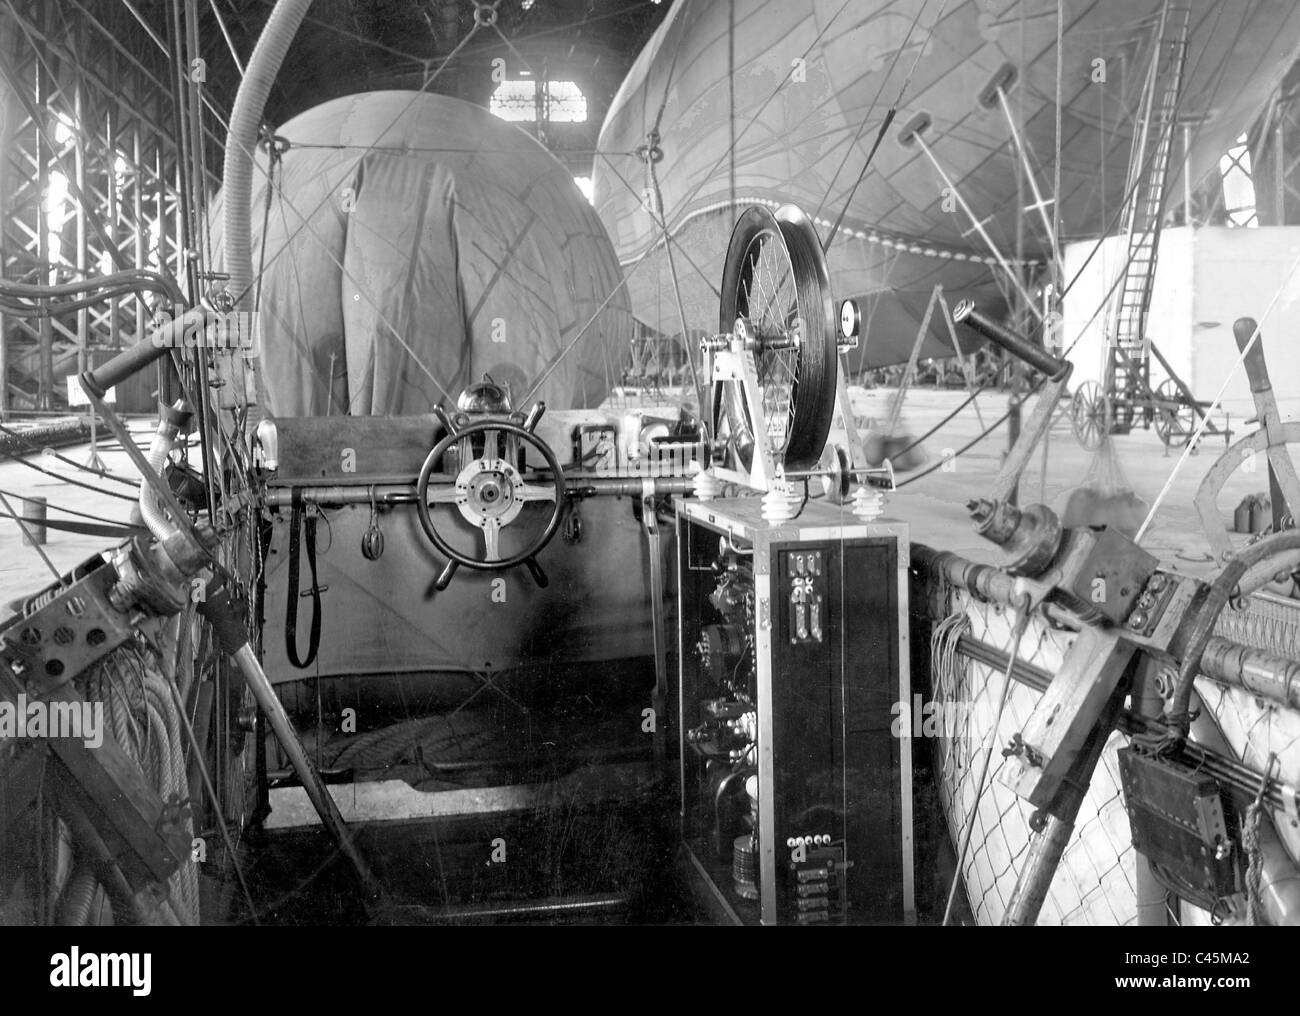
{"points": [[242, 141]]}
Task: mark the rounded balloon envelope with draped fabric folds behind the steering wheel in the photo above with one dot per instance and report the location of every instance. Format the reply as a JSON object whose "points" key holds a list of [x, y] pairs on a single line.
{"points": [[415, 244]]}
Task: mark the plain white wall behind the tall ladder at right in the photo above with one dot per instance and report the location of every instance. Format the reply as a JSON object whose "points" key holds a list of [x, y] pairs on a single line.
{"points": [[1206, 280]]}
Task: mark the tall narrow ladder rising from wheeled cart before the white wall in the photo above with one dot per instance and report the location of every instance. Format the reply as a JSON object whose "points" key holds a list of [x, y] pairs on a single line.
{"points": [[1128, 381]]}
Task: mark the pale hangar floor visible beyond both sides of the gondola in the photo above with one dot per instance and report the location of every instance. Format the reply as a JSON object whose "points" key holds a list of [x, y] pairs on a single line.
{"points": [[934, 506]]}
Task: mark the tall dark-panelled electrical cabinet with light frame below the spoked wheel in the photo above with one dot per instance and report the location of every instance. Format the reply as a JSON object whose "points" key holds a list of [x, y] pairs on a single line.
{"points": [[796, 793]]}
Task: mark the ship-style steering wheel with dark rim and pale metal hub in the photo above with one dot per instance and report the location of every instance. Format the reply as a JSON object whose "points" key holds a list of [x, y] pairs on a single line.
{"points": [[489, 493]]}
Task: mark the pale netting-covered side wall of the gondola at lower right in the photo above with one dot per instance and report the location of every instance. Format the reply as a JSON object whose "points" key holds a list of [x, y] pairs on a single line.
{"points": [[1095, 883]]}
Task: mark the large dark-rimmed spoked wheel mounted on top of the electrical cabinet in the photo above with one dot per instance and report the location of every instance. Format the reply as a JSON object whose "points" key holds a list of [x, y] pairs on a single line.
{"points": [[775, 281]]}
